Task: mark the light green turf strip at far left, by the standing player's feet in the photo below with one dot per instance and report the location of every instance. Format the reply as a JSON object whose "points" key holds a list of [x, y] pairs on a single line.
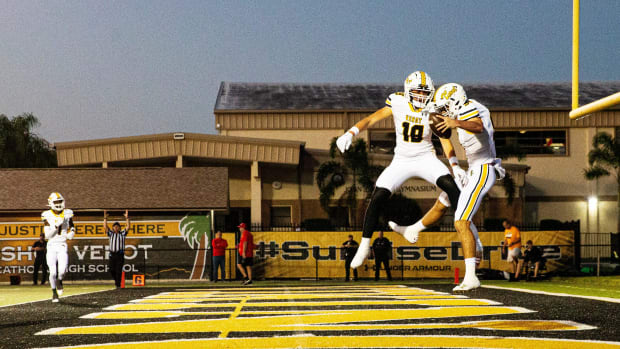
{"points": [[11, 295]]}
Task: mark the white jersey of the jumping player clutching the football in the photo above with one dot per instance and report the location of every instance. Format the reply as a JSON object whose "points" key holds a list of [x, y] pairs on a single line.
{"points": [[479, 147]]}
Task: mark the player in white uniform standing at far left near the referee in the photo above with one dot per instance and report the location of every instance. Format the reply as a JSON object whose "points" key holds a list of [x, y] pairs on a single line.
{"points": [[58, 227]]}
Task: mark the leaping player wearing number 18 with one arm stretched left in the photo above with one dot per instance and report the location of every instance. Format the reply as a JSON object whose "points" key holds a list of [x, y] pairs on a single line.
{"points": [[414, 155]]}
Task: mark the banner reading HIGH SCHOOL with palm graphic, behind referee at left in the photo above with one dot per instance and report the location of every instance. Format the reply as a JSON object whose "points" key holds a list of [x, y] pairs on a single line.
{"points": [[159, 248]]}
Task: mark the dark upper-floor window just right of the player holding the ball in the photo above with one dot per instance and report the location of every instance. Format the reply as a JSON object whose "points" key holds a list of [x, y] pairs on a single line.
{"points": [[531, 142]]}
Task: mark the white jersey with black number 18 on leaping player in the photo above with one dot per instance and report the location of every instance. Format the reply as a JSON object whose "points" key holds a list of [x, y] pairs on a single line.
{"points": [[413, 134]]}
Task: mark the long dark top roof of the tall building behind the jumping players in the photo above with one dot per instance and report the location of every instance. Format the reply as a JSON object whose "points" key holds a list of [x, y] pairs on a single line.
{"points": [[291, 96]]}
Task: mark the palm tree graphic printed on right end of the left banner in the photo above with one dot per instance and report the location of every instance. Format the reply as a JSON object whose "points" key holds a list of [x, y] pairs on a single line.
{"points": [[196, 230]]}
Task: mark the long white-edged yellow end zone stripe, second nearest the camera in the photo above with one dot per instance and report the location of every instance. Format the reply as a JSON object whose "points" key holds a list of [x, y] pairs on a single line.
{"points": [[288, 323]]}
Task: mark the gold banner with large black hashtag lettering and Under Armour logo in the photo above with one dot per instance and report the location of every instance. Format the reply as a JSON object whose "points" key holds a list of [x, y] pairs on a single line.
{"points": [[436, 254]]}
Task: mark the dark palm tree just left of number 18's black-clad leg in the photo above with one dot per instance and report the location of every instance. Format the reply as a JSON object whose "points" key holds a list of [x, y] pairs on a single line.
{"points": [[353, 167]]}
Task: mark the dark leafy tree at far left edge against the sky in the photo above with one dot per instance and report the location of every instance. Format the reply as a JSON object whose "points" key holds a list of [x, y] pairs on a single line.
{"points": [[20, 147]]}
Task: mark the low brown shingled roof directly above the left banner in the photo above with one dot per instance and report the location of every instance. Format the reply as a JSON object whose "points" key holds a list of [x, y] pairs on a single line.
{"points": [[146, 189]]}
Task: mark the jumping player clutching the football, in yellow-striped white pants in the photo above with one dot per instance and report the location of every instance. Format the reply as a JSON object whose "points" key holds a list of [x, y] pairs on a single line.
{"points": [[475, 130]]}
